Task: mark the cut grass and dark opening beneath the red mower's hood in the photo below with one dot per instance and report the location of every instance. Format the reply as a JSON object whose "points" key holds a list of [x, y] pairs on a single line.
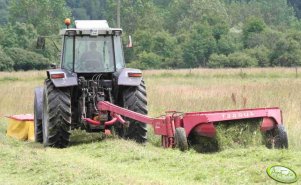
{"points": [[230, 134]]}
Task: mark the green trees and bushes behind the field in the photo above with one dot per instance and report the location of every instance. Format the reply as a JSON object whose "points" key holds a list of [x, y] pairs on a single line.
{"points": [[166, 33]]}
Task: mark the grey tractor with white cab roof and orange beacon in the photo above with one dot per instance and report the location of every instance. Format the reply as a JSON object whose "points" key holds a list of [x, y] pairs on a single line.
{"points": [[92, 69]]}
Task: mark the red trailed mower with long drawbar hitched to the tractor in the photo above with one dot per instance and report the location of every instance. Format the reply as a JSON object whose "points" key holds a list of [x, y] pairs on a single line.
{"points": [[174, 125]]}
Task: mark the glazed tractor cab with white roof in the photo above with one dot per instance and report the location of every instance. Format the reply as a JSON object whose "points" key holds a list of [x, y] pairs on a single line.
{"points": [[92, 47]]}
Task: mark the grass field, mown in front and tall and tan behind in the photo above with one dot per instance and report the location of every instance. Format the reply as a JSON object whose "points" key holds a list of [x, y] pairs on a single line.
{"points": [[93, 160]]}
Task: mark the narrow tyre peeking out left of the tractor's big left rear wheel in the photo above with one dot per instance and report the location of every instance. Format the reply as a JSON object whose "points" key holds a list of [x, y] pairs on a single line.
{"points": [[38, 101]]}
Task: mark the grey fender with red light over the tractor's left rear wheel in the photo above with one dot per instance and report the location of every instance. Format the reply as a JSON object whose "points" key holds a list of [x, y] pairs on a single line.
{"points": [[67, 80]]}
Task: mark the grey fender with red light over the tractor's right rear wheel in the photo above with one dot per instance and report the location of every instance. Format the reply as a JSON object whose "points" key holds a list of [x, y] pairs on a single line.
{"points": [[124, 79]]}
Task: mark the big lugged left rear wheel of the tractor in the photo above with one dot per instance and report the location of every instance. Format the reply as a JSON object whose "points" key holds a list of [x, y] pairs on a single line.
{"points": [[56, 116]]}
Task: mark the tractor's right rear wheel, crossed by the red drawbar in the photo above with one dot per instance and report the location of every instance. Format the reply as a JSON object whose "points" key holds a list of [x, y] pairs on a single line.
{"points": [[134, 99]]}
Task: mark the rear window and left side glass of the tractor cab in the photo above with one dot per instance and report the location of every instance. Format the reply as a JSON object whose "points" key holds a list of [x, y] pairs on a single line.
{"points": [[91, 54]]}
